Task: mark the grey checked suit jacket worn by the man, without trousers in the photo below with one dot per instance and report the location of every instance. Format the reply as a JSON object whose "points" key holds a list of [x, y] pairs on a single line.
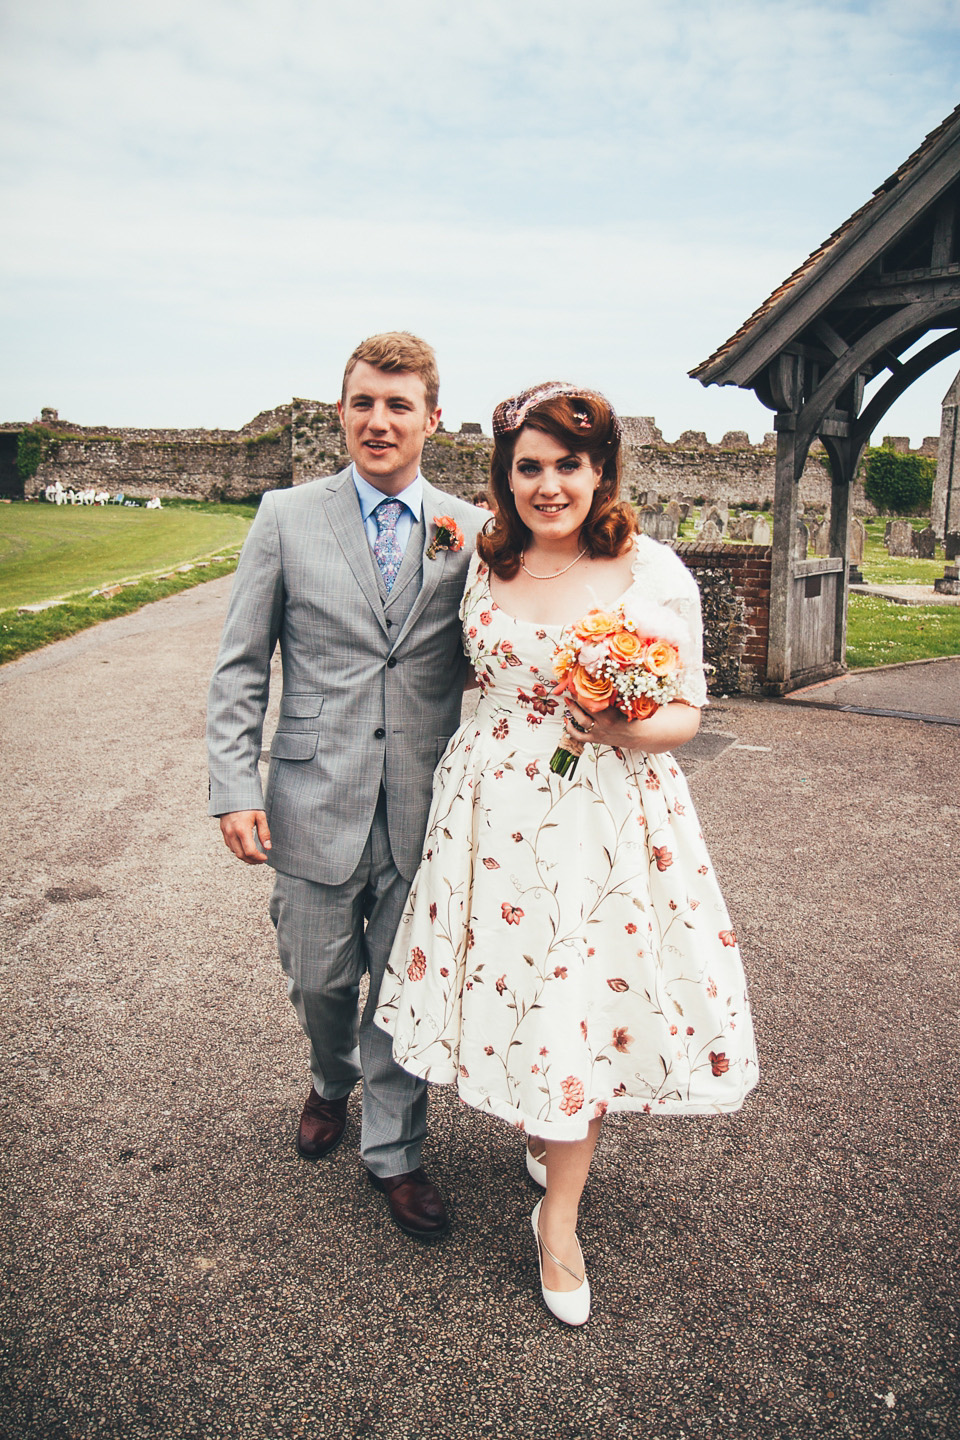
{"points": [[372, 685]]}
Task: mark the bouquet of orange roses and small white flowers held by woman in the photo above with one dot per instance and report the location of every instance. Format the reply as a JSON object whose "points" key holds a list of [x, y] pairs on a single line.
{"points": [[628, 657]]}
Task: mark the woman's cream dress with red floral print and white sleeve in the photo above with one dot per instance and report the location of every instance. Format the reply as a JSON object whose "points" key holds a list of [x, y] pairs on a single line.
{"points": [[566, 950]]}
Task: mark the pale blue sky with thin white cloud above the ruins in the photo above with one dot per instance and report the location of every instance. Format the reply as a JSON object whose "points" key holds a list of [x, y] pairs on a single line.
{"points": [[208, 204]]}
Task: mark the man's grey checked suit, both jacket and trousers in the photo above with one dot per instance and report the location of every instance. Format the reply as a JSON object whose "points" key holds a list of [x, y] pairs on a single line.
{"points": [[372, 693]]}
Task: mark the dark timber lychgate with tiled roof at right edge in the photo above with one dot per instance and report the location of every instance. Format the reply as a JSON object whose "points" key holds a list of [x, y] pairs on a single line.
{"points": [[830, 352]]}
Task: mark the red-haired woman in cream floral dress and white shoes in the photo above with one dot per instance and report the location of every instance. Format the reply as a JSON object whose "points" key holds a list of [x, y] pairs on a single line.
{"points": [[566, 951]]}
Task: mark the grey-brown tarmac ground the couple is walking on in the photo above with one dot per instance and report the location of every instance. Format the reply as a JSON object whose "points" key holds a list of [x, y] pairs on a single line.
{"points": [[172, 1269]]}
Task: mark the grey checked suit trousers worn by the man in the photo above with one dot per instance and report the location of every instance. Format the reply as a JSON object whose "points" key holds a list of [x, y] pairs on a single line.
{"points": [[326, 948]]}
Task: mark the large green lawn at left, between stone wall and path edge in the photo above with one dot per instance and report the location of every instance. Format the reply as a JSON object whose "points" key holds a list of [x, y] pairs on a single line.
{"points": [[54, 551]]}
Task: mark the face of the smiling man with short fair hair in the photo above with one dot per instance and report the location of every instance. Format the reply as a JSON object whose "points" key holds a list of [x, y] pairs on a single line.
{"points": [[386, 421]]}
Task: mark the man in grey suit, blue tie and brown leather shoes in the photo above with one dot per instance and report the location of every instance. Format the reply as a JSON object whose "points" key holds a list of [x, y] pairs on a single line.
{"points": [[339, 574]]}
